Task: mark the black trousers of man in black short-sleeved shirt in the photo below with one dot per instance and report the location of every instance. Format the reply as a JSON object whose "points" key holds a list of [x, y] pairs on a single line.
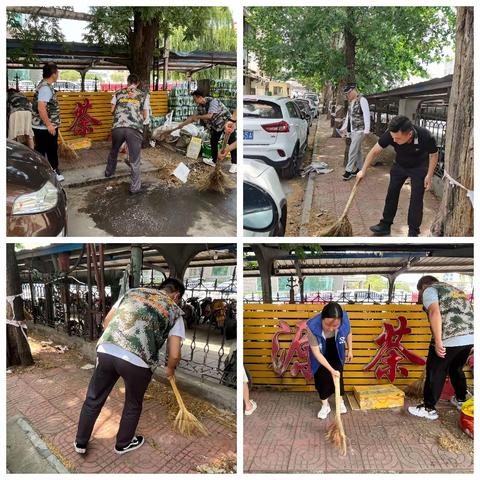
{"points": [[398, 176]]}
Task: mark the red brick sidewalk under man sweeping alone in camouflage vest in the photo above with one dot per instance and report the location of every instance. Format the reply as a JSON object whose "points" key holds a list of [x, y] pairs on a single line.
{"points": [[50, 395]]}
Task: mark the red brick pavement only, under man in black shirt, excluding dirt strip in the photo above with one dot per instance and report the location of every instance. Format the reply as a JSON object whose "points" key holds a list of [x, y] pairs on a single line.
{"points": [[331, 192]]}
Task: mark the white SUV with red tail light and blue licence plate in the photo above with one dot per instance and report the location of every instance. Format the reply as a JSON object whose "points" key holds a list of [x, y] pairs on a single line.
{"points": [[275, 132]]}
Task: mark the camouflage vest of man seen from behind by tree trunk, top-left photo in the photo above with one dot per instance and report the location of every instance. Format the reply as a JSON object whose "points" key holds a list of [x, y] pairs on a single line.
{"points": [[129, 105]]}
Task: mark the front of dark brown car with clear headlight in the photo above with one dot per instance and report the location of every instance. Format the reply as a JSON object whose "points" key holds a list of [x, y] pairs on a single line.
{"points": [[36, 202]]}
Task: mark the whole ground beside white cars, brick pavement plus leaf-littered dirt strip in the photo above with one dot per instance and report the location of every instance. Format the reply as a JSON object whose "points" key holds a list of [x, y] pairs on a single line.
{"points": [[330, 192]]}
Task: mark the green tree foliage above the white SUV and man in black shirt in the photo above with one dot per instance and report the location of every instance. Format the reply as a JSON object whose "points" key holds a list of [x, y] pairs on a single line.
{"points": [[378, 47]]}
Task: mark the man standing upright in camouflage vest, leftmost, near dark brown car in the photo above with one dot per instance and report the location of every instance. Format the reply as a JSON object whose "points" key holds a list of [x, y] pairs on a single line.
{"points": [[46, 117]]}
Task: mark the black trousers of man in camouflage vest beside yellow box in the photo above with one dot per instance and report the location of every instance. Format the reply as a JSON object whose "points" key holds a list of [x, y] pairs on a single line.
{"points": [[437, 370]]}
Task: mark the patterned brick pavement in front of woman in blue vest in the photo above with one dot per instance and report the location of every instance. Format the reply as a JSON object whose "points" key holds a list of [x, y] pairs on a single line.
{"points": [[284, 436]]}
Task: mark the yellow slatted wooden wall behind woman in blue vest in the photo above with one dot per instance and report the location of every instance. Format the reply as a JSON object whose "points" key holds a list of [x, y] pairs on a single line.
{"points": [[260, 323]]}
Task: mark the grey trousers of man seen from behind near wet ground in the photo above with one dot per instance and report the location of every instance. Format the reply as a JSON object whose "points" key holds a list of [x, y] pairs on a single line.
{"points": [[133, 139]]}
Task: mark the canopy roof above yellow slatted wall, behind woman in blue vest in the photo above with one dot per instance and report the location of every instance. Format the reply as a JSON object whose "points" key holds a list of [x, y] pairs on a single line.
{"points": [[365, 259]]}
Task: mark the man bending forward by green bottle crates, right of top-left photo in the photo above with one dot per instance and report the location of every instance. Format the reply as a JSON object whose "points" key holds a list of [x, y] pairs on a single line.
{"points": [[213, 115]]}
